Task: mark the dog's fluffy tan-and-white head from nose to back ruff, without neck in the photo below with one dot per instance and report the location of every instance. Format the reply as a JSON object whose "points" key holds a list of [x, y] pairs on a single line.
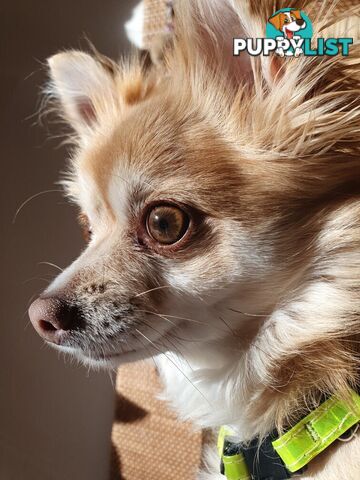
{"points": [[209, 198]]}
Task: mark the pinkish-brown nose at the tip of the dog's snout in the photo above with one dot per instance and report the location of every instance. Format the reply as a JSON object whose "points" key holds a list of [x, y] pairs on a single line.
{"points": [[53, 316]]}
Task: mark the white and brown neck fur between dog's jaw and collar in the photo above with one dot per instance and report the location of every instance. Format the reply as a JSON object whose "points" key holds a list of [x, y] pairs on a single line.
{"points": [[260, 385]]}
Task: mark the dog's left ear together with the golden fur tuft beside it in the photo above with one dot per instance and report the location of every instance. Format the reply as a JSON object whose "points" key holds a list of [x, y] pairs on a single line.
{"points": [[92, 90]]}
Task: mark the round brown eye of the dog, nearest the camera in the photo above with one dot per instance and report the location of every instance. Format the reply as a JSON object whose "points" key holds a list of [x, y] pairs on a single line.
{"points": [[167, 224]]}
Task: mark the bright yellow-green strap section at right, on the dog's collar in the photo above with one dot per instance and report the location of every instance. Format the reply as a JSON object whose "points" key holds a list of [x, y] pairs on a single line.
{"points": [[317, 431]]}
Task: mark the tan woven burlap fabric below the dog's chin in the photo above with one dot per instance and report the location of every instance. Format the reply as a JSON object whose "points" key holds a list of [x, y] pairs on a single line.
{"points": [[149, 443]]}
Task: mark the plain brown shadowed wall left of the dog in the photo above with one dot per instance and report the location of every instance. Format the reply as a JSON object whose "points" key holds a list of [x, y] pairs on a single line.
{"points": [[55, 417]]}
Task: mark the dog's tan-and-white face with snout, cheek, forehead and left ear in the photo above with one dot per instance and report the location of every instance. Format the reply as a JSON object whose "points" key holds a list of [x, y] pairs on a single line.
{"points": [[172, 233]]}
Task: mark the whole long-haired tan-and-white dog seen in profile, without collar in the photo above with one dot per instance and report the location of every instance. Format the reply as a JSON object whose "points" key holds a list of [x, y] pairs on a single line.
{"points": [[220, 202]]}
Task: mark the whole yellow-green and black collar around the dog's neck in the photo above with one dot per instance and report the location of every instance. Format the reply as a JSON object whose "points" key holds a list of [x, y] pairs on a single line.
{"points": [[281, 457]]}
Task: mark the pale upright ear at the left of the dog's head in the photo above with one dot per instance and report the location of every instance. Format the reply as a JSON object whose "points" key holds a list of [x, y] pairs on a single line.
{"points": [[84, 86]]}
